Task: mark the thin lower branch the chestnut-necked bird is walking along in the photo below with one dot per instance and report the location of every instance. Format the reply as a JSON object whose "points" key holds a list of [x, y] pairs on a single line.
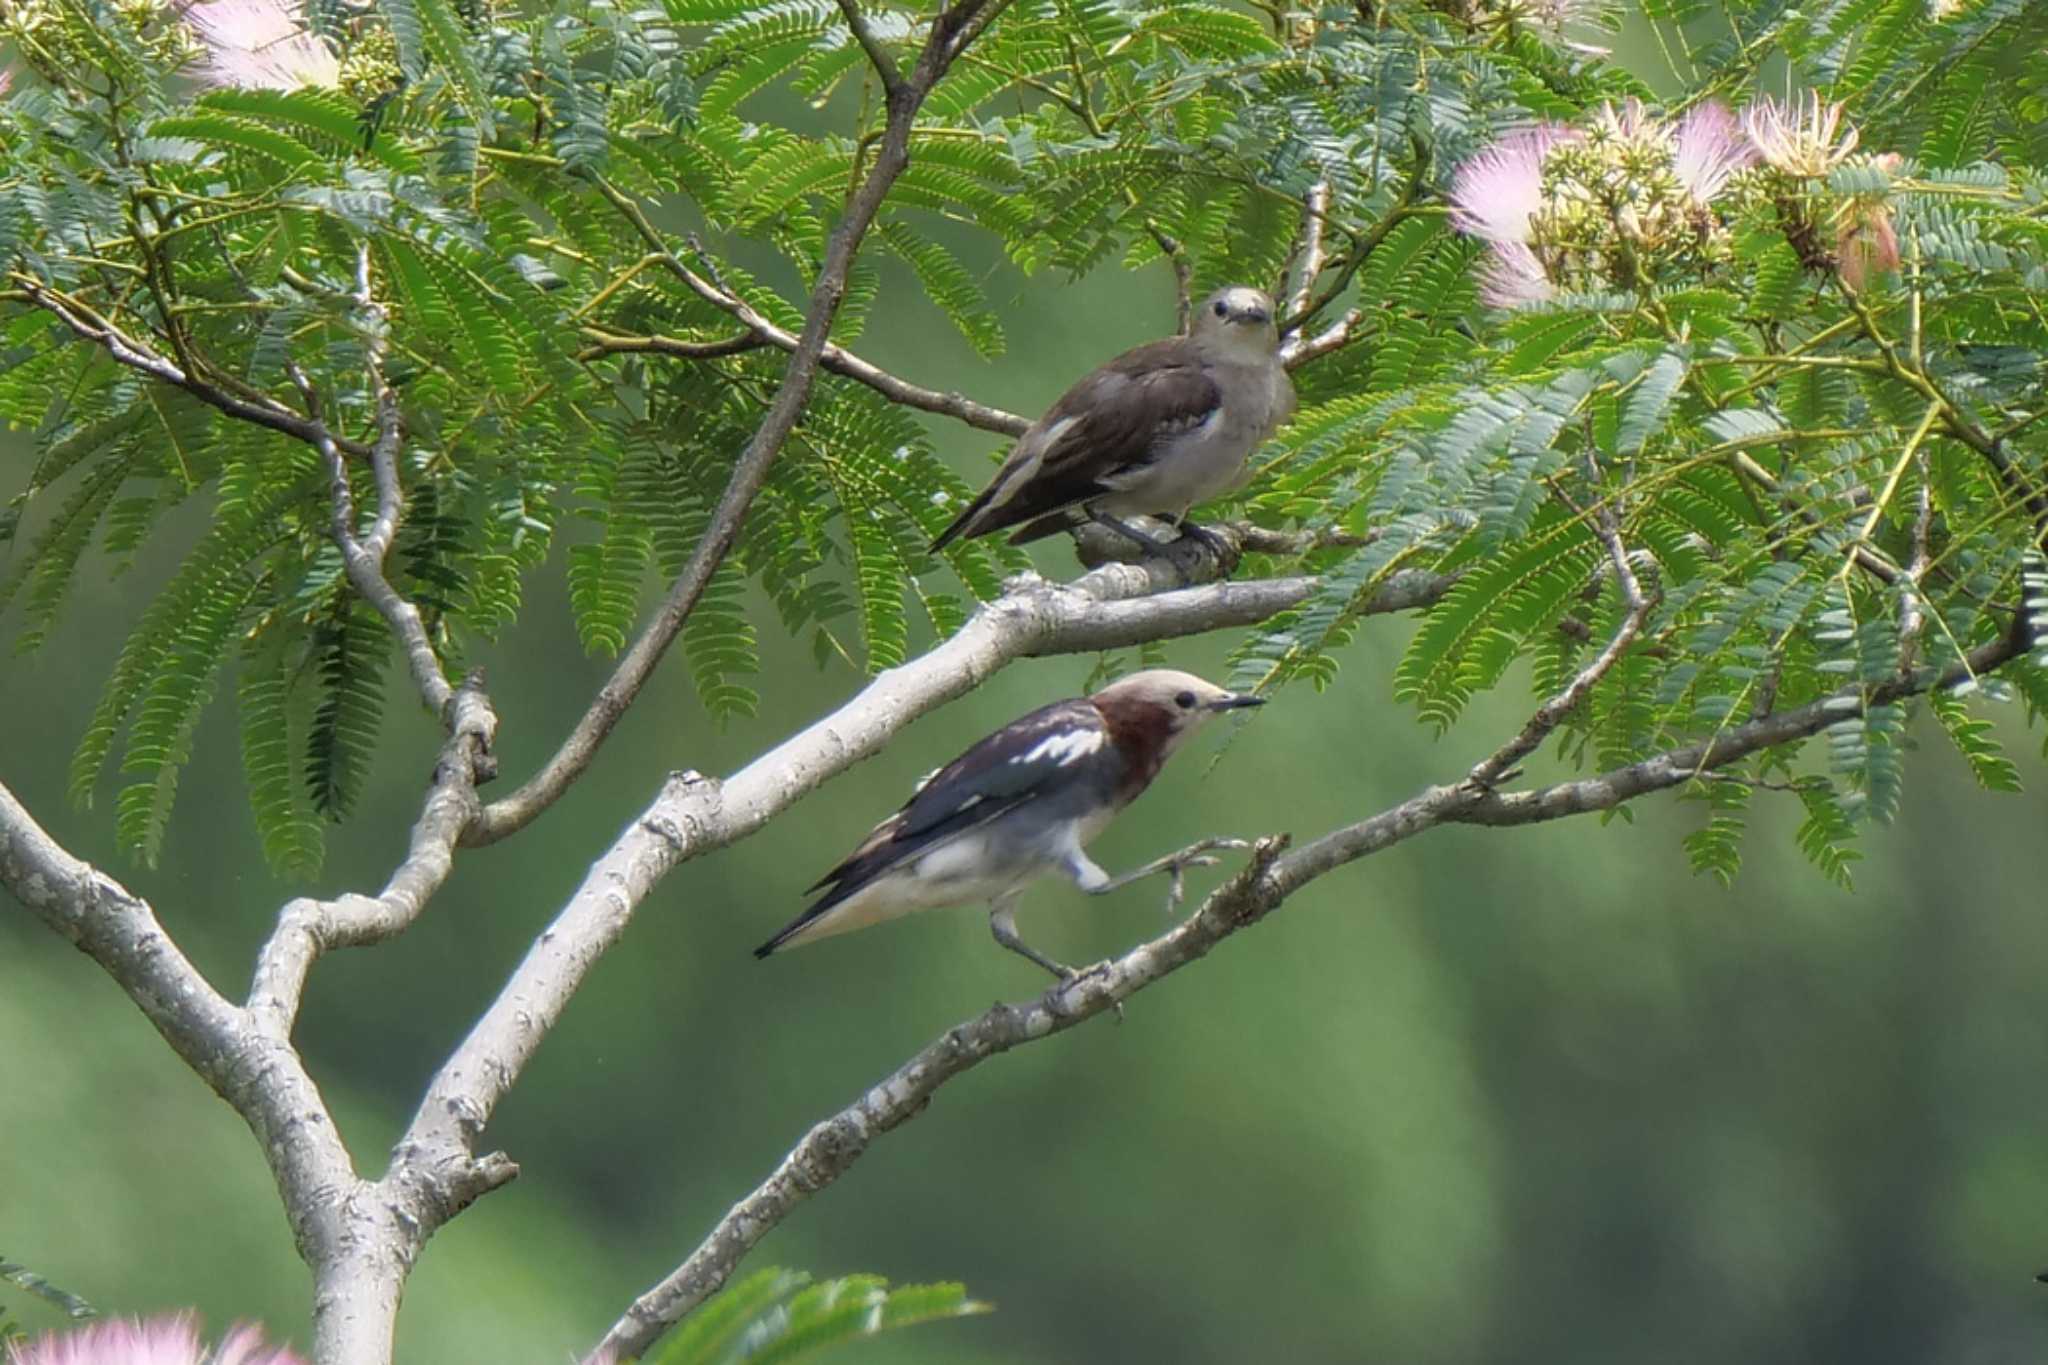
{"points": [[837, 1143]]}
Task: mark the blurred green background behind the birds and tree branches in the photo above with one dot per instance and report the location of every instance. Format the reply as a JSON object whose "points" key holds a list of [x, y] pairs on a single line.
{"points": [[1494, 1096]]}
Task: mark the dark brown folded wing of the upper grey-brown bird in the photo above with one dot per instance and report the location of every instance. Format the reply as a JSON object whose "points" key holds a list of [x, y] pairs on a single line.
{"points": [[1105, 427]]}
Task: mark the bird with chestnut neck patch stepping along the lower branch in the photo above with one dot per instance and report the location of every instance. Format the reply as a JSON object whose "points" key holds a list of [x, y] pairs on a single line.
{"points": [[1017, 807]]}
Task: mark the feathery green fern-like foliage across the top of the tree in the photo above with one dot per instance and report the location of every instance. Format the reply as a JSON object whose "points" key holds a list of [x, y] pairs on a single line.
{"points": [[1824, 490]]}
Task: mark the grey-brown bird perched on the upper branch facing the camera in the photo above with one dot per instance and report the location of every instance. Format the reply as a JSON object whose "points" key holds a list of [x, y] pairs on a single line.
{"points": [[1154, 431]]}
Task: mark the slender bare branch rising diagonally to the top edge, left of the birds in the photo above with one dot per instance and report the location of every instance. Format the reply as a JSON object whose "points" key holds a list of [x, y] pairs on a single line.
{"points": [[949, 32]]}
